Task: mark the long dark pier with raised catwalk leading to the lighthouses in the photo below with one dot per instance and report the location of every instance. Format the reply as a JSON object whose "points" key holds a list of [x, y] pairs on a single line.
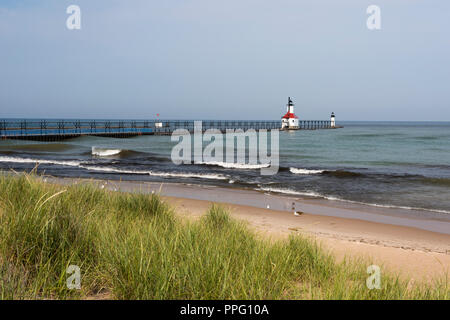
{"points": [[52, 130]]}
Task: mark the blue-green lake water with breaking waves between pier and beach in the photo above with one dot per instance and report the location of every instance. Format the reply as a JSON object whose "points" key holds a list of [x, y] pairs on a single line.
{"points": [[391, 164]]}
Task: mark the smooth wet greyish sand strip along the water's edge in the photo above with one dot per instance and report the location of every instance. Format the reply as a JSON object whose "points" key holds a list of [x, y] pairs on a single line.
{"points": [[422, 220]]}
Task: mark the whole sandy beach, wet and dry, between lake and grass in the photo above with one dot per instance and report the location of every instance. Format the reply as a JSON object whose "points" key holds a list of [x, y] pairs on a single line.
{"points": [[412, 252]]}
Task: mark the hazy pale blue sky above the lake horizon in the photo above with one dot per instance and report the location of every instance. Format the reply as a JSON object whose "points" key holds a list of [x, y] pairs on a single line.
{"points": [[233, 59]]}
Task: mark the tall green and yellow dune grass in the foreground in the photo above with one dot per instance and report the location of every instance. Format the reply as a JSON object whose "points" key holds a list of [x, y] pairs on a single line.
{"points": [[134, 246]]}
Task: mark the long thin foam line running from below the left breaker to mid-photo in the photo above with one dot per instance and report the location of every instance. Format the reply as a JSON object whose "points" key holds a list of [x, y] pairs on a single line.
{"points": [[158, 174]]}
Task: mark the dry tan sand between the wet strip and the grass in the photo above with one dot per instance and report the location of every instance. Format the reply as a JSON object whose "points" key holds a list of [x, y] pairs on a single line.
{"points": [[412, 253]]}
